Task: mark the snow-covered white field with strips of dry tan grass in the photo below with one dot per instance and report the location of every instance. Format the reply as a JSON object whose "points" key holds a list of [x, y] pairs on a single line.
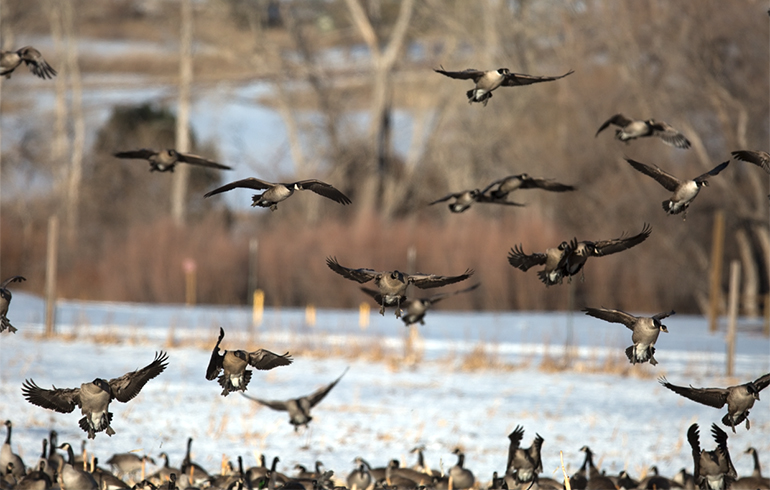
{"points": [[386, 404]]}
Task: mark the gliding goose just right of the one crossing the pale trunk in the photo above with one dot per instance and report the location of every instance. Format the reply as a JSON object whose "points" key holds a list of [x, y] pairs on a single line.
{"points": [[276, 193]]}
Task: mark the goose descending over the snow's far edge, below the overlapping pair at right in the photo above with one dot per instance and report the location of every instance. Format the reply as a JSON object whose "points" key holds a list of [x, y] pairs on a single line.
{"points": [[645, 331]]}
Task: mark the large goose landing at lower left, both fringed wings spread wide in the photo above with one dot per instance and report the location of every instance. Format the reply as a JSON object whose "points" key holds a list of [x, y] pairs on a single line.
{"points": [[94, 397]]}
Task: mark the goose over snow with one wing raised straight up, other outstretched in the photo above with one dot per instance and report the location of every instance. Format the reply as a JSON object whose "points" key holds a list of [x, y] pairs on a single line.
{"points": [[234, 362]]}
